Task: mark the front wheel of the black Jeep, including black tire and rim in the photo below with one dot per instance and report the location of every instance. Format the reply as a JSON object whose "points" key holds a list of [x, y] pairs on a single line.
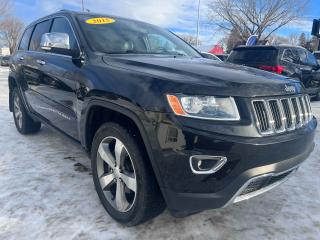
{"points": [[137, 206]]}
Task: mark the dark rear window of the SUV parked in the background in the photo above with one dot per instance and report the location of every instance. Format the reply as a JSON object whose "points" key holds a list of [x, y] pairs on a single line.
{"points": [[253, 56]]}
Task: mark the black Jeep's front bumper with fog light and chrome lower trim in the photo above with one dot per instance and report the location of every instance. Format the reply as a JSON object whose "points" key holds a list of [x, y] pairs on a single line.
{"points": [[201, 170]]}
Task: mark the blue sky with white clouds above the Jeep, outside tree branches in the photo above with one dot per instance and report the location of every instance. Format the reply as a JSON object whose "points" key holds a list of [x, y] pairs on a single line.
{"points": [[179, 16]]}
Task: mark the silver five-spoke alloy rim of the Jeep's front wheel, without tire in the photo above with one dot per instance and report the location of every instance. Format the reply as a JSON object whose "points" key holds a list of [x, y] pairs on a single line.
{"points": [[116, 174]]}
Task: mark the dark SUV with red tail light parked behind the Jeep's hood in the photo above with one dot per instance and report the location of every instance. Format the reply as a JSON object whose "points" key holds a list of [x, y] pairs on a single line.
{"points": [[292, 61]]}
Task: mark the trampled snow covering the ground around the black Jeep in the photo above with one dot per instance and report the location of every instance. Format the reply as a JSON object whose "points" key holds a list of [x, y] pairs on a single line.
{"points": [[46, 192]]}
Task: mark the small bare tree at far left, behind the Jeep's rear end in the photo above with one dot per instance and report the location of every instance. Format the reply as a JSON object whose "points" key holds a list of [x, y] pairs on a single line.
{"points": [[11, 28]]}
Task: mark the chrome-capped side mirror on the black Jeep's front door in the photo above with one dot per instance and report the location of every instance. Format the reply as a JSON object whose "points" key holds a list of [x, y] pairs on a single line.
{"points": [[56, 42]]}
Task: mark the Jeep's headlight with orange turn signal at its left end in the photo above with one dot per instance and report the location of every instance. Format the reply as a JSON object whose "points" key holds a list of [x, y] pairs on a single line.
{"points": [[205, 107]]}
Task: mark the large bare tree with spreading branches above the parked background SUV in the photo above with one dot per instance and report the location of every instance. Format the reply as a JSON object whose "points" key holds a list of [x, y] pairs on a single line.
{"points": [[255, 17]]}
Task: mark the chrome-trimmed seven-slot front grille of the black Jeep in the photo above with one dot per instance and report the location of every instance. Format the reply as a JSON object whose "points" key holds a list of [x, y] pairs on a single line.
{"points": [[282, 114]]}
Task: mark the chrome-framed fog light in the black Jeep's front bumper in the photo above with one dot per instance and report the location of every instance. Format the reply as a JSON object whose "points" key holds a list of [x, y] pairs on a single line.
{"points": [[203, 164]]}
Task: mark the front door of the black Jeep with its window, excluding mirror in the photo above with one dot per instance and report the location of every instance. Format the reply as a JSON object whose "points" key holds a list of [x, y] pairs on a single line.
{"points": [[52, 79]]}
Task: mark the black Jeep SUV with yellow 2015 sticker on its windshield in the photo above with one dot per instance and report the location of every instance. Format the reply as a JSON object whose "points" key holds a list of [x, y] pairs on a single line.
{"points": [[163, 126]]}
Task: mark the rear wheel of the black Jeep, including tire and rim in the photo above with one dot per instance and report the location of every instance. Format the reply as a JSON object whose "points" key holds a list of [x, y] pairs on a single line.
{"points": [[24, 123]]}
